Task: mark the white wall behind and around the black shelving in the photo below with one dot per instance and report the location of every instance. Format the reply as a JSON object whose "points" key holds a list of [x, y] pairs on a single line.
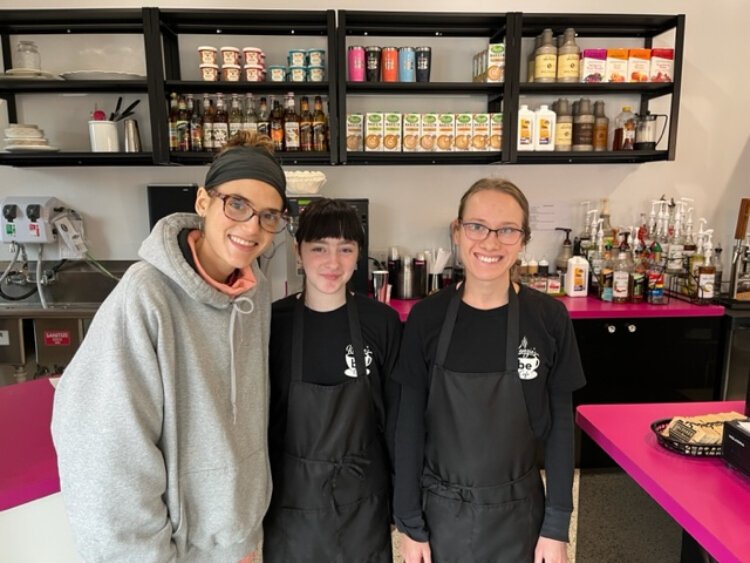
{"points": [[412, 205]]}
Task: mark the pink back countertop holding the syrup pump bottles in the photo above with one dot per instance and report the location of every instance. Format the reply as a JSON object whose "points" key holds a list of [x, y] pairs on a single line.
{"points": [[592, 308]]}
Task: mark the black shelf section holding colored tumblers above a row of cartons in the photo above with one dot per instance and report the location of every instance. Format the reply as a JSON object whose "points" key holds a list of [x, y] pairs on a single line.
{"points": [[493, 27]]}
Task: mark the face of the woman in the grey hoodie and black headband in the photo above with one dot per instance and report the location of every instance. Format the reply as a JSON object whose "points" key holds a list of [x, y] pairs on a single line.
{"points": [[227, 245]]}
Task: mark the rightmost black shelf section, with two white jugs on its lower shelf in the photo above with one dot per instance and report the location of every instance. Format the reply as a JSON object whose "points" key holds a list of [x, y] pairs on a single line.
{"points": [[645, 27]]}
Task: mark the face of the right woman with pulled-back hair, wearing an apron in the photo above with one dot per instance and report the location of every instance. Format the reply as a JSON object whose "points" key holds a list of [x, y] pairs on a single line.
{"points": [[489, 260]]}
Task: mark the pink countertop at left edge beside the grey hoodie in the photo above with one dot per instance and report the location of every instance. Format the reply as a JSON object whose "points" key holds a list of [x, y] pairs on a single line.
{"points": [[28, 463]]}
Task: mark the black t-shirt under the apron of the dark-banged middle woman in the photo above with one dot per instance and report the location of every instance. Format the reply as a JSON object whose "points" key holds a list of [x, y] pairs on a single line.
{"points": [[328, 357]]}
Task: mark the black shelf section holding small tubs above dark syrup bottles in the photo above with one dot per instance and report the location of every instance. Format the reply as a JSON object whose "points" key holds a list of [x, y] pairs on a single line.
{"points": [[172, 23]]}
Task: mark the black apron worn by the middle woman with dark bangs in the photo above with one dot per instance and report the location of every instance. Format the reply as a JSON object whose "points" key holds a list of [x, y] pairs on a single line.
{"points": [[331, 484]]}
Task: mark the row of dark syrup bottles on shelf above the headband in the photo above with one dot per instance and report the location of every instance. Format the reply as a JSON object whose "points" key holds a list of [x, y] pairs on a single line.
{"points": [[200, 126]]}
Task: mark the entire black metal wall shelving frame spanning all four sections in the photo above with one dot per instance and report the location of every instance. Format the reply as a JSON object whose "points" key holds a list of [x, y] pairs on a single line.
{"points": [[161, 29]]}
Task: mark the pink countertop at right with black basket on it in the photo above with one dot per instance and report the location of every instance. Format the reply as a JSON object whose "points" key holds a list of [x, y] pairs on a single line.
{"points": [[710, 501]]}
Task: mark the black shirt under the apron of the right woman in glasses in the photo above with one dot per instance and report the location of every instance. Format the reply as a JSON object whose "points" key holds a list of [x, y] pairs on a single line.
{"points": [[550, 368]]}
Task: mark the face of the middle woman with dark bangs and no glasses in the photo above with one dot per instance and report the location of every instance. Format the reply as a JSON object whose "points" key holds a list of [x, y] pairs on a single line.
{"points": [[329, 264]]}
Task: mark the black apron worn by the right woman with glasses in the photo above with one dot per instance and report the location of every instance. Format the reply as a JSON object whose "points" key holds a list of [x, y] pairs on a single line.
{"points": [[481, 489]]}
